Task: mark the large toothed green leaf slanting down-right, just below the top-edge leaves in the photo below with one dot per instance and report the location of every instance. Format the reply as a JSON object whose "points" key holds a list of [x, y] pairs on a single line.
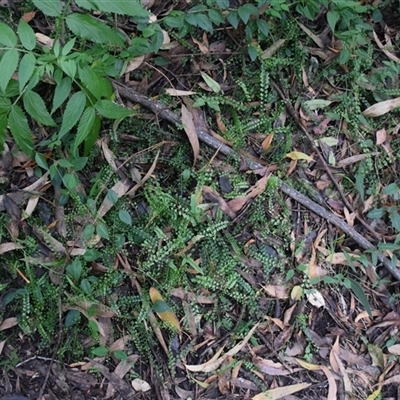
{"points": [[89, 28]]}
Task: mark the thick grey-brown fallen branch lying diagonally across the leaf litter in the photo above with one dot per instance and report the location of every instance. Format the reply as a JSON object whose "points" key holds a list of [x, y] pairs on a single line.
{"points": [[166, 114]]}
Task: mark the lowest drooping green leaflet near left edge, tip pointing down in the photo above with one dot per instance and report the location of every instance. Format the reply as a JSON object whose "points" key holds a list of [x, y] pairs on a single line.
{"points": [[20, 130]]}
